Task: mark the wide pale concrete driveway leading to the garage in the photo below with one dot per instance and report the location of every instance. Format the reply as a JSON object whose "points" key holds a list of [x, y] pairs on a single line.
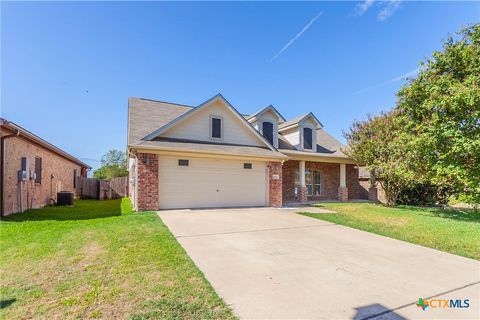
{"points": [[273, 263]]}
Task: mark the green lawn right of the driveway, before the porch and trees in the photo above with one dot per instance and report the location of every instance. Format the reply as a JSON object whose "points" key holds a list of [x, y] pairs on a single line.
{"points": [[453, 231]]}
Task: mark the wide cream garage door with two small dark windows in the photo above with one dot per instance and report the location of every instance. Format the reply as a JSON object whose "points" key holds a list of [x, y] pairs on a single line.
{"points": [[206, 183]]}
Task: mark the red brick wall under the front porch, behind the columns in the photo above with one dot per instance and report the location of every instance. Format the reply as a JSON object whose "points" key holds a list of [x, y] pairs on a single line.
{"points": [[330, 180]]}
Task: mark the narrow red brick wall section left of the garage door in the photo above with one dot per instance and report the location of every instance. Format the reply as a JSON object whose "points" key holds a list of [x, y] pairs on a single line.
{"points": [[147, 181]]}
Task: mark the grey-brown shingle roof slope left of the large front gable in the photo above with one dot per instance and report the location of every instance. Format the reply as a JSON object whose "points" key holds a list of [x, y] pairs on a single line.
{"points": [[145, 116]]}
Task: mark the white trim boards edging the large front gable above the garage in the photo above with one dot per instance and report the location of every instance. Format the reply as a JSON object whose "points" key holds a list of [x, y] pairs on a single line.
{"points": [[193, 111]]}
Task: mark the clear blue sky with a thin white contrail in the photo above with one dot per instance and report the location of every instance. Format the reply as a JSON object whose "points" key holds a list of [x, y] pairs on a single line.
{"points": [[67, 69]]}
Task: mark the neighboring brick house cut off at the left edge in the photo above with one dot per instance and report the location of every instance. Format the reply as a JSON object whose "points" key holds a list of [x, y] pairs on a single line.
{"points": [[45, 170]]}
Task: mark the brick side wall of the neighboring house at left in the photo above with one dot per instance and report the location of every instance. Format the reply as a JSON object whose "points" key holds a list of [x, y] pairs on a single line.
{"points": [[35, 195]]}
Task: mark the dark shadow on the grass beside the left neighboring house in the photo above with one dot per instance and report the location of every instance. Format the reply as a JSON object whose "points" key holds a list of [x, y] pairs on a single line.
{"points": [[81, 210]]}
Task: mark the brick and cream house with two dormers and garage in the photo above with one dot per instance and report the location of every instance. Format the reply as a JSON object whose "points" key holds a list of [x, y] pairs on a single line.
{"points": [[213, 156]]}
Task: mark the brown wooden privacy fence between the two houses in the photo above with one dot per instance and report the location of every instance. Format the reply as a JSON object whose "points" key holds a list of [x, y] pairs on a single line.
{"points": [[90, 188]]}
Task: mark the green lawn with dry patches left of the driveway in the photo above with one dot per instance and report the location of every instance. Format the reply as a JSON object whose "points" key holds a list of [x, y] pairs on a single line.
{"points": [[99, 260]]}
